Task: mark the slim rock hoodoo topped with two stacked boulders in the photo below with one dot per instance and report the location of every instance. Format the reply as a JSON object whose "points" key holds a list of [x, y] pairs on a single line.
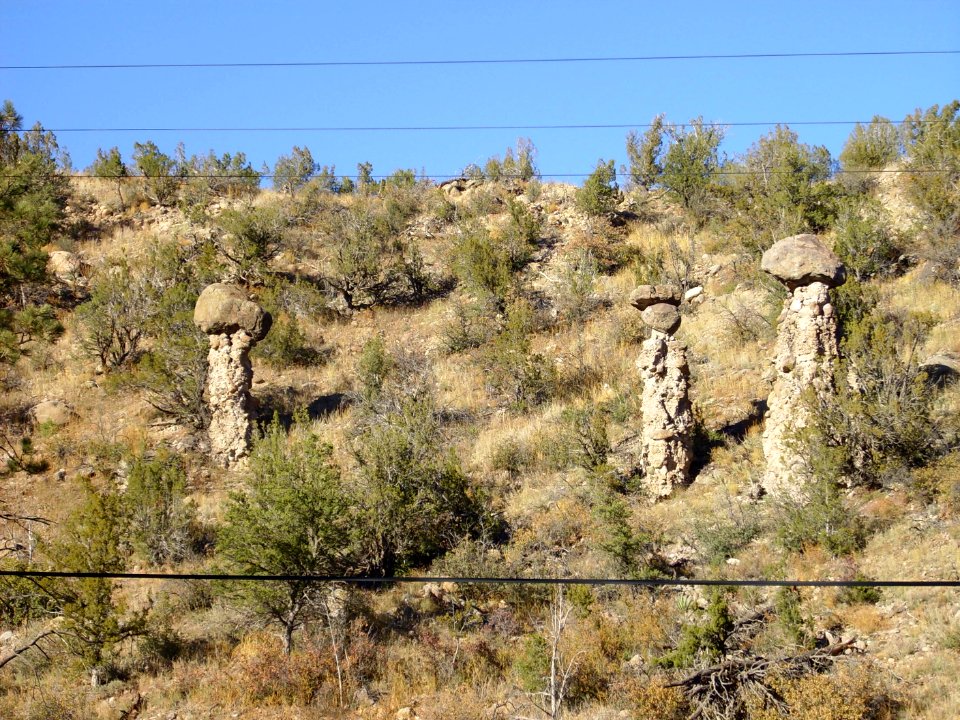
{"points": [[666, 435]]}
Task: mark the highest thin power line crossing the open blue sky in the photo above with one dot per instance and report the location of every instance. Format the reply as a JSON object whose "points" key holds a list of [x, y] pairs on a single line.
{"points": [[481, 61]]}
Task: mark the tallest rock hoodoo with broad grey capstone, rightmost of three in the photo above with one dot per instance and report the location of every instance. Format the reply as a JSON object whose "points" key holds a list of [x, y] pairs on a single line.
{"points": [[806, 349]]}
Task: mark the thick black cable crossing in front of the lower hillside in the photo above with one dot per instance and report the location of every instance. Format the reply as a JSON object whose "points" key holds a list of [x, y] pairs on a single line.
{"points": [[367, 580]]}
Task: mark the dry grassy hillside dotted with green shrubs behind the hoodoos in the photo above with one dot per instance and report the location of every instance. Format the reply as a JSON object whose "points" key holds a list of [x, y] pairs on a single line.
{"points": [[449, 388]]}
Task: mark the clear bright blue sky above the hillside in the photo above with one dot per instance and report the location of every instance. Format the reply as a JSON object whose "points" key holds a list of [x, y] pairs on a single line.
{"points": [[43, 32]]}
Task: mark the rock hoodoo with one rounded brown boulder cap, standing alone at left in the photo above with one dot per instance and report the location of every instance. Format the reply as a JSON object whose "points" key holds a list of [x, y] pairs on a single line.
{"points": [[234, 325]]}
